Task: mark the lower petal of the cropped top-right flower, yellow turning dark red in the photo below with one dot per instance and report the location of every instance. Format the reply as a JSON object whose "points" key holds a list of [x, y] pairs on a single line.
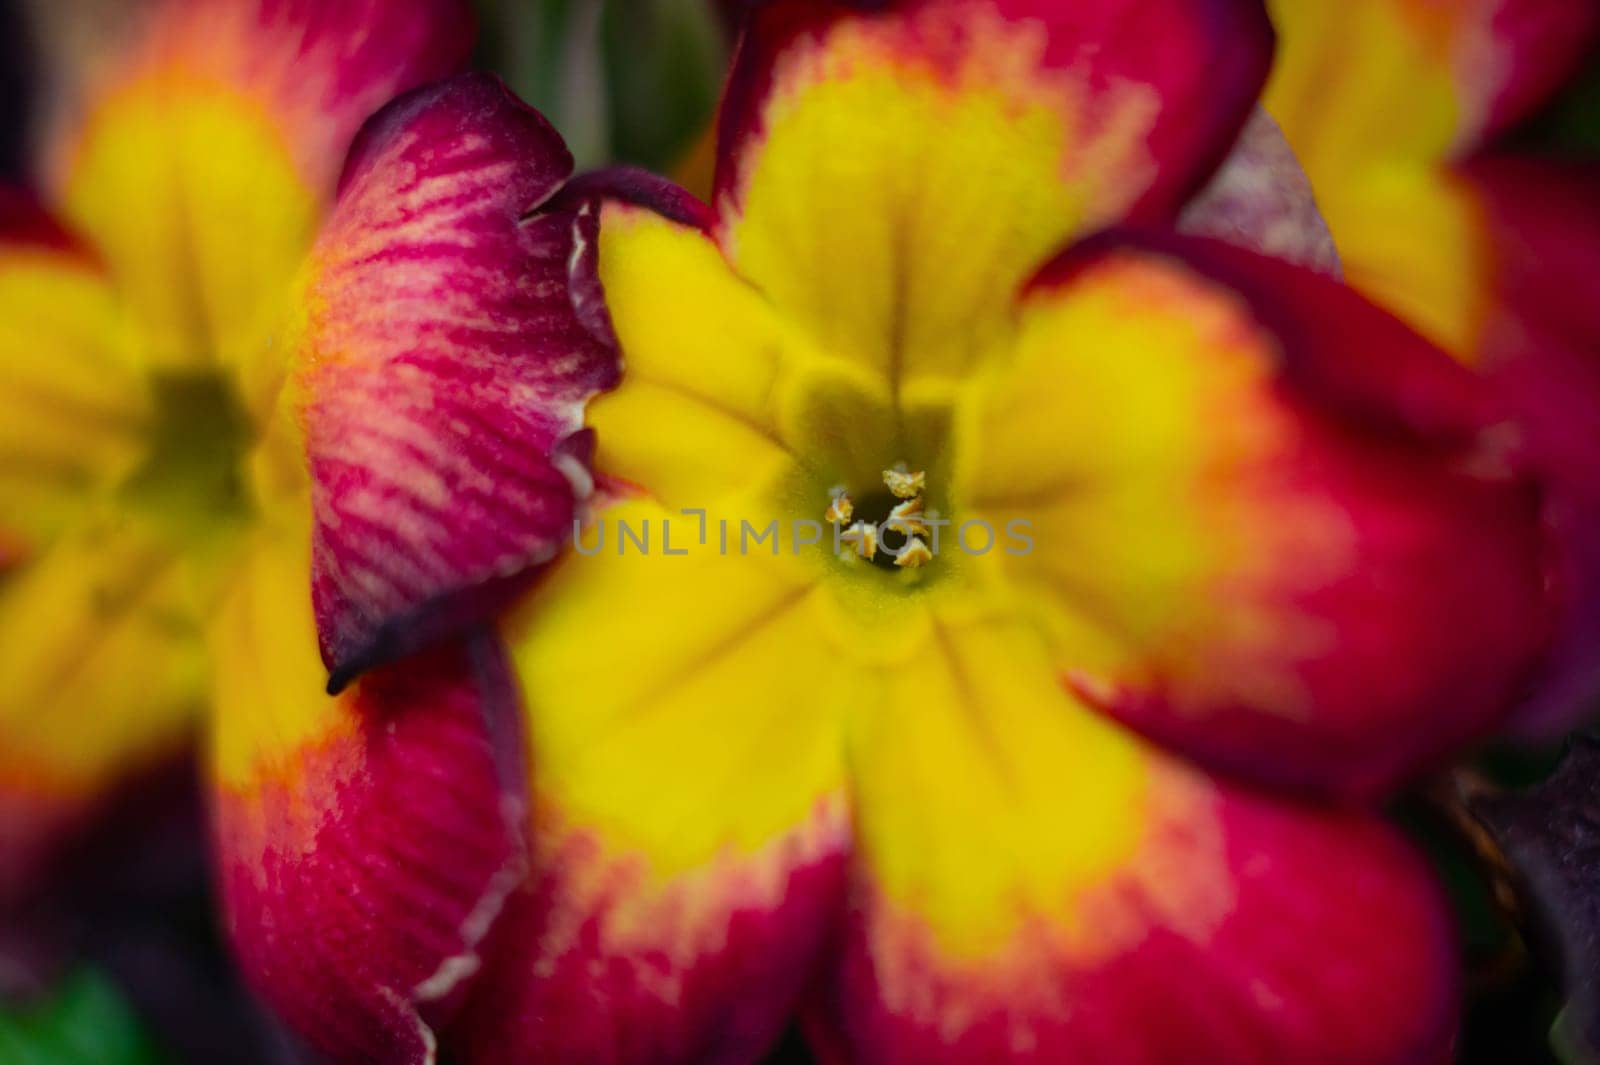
{"points": [[1494, 260]]}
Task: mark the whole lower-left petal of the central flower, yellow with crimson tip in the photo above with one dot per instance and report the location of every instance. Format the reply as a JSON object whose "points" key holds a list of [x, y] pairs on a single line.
{"points": [[689, 808]]}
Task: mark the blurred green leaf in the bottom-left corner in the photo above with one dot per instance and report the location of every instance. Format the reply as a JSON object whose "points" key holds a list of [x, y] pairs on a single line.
{"points": [[84, 1023]]}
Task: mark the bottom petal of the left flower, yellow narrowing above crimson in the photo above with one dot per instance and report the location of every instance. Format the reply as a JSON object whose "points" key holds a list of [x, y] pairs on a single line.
{"points": [[366, 842]]}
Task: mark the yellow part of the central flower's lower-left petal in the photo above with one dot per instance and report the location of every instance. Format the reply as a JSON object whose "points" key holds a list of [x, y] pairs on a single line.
{"points": [[612, 688]]}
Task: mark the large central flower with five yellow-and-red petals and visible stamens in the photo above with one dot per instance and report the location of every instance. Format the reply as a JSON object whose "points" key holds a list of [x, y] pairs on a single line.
{"points": [[1058, 797]]}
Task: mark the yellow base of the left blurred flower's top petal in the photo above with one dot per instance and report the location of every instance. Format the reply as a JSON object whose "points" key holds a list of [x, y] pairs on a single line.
{"points": [[207, 257]]}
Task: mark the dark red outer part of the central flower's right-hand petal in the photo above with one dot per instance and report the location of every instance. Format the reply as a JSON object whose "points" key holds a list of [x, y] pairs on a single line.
{"points": [[1434, 613]]}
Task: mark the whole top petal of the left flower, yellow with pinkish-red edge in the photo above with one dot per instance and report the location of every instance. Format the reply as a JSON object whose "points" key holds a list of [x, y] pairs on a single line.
{"points": [[202, 140]]}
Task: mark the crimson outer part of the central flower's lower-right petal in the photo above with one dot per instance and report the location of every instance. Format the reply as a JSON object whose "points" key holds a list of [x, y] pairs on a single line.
{"points": [[1330, 946]]}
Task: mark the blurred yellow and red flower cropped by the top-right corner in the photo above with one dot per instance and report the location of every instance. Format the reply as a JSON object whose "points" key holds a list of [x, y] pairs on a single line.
{"points": [[1492, 255]]}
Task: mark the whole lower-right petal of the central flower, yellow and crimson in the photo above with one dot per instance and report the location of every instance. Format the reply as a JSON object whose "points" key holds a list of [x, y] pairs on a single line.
{"points": [[1036, 885]]}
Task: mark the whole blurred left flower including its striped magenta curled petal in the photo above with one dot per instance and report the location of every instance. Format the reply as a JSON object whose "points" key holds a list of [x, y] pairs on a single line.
{"points": [[215, 501]]}
